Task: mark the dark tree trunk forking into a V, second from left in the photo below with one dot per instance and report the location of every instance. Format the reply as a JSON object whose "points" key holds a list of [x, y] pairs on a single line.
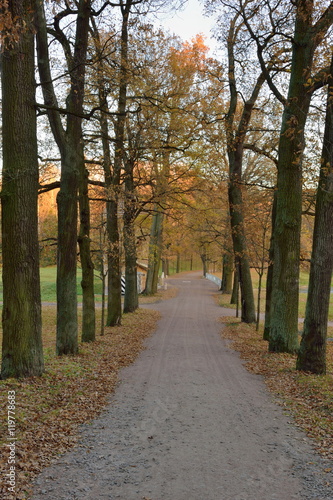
{"points": [[70, 145]]}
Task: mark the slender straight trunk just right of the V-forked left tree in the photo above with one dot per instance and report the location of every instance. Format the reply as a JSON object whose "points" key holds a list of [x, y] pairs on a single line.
{"points": [[87, 266]]}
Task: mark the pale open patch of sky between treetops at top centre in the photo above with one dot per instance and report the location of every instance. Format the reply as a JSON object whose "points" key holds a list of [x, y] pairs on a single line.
{"points": [[188, 22]]}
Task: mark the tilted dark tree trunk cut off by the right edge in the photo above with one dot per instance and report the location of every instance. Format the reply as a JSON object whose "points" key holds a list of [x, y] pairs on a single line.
{"points": [[312, 352]]}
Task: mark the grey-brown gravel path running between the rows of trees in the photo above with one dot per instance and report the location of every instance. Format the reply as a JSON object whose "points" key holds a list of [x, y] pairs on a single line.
{"points": [[188, 422]]}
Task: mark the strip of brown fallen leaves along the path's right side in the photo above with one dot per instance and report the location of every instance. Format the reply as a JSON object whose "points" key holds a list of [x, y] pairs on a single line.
{"points": [[307, 397]]}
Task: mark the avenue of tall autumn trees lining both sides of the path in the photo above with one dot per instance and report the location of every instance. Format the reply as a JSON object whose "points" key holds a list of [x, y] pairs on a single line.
{"points": [[154, 141]]}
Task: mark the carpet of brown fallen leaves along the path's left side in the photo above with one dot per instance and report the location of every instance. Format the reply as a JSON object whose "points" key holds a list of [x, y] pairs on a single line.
{"points": [[73, 390]]}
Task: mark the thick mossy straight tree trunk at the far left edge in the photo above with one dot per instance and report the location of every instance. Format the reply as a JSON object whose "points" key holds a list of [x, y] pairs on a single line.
{"points": [[22, 354]]}
